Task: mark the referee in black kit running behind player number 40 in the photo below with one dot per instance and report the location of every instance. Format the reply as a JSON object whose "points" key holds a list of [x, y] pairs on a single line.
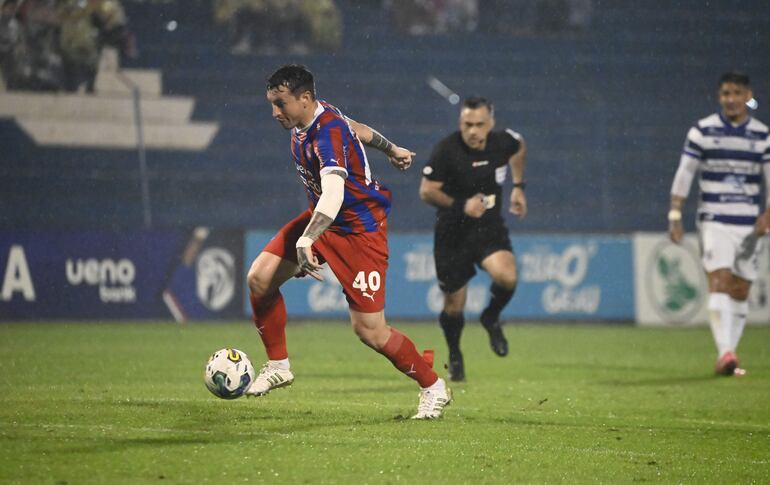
{"points": [[464, 179]]}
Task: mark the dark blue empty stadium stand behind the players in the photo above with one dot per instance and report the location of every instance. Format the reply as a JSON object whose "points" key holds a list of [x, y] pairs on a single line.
{"points": [[604, 112]]}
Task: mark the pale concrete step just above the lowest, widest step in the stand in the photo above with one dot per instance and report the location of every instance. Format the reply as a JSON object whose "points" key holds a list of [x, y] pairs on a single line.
{"points": [[168, 109]]}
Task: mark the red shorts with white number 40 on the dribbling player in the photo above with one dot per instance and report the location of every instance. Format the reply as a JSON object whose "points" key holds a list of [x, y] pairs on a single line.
{"points": [[359, 261]]}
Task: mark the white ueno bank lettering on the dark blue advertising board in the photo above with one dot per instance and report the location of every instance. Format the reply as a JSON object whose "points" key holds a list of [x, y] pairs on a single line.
{"points": [[113, 278]]}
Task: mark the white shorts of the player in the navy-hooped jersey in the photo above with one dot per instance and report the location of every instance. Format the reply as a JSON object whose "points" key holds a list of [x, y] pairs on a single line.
{"points": [[728, 246]]}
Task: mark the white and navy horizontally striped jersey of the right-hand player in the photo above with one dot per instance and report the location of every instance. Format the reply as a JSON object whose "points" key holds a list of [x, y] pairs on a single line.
{"points": [[730, 159]]}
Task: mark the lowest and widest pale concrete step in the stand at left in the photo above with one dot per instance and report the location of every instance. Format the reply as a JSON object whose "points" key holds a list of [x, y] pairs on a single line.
{"points": [[118, 135]]}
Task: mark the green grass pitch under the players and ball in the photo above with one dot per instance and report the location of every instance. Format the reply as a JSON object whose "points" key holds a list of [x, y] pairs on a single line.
{"points": [[125, 403]]}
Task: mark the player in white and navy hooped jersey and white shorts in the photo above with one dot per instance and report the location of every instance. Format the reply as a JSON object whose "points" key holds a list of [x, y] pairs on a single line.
{"points": [[731, 150]]}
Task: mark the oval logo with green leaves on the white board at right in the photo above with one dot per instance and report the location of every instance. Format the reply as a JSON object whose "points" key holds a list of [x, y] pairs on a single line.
{"points": [[675, 282]]}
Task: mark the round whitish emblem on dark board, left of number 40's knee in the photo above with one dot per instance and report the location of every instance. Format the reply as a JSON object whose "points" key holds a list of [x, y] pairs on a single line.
{"points": [[215, 278]]}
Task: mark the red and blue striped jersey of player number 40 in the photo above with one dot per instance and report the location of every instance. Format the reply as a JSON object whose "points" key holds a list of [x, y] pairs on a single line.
{"points": [[327, 144]]}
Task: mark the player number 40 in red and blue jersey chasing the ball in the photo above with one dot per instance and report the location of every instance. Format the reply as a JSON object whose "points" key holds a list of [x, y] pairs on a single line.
{"points": [[345, 226]]}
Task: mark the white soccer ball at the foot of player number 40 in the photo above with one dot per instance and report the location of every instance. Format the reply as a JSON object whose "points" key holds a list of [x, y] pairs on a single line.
{"points": [[228, 373]]}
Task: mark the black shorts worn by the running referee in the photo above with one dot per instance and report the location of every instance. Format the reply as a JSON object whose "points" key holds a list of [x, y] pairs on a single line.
{"points": [[459, 248]]}
